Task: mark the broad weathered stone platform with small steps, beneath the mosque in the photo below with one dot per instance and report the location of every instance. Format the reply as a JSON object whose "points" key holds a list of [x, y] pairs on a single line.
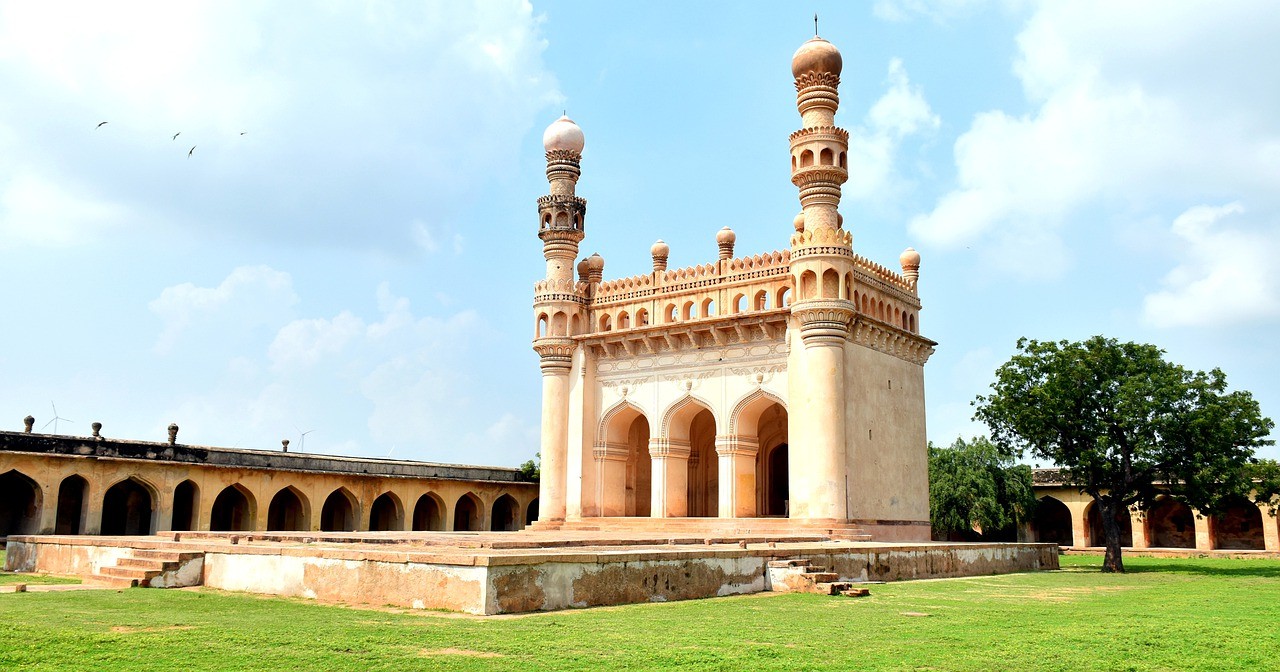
{"points": [[501, 573]]}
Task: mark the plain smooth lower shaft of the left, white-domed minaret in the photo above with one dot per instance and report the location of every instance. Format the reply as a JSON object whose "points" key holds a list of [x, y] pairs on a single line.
{"points": [[556, 363]]}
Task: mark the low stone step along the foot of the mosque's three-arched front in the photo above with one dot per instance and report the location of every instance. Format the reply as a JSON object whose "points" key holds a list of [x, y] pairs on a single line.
{"points": [[779, 528]]}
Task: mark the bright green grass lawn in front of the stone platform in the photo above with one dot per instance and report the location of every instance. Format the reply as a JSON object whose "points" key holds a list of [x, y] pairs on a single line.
{"points": [[1163, 615]]}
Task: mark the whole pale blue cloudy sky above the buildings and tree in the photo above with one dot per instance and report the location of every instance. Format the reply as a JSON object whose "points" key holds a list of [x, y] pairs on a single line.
{"points": [[351, 246]]}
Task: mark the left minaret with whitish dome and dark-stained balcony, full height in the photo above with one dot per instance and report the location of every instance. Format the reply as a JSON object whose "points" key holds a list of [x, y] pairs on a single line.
{"points": [[559, 304]]}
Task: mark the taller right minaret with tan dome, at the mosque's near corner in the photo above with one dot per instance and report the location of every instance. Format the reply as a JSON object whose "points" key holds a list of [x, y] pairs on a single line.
{"points": [[822, 259]]}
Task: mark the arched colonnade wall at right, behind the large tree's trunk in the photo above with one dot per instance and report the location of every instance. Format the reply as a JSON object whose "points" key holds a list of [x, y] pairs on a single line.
{"points": [[1071, 518]]}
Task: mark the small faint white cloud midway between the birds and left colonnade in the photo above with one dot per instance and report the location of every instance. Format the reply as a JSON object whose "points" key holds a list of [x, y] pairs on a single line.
{"points": [[249, 296]]}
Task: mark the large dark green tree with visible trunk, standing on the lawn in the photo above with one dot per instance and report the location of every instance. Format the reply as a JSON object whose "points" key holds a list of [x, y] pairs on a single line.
{"points": [[1119, 419]]}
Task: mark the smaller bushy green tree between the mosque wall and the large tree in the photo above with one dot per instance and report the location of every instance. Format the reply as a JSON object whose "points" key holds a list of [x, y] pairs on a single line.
{"points": [[977, 488]]}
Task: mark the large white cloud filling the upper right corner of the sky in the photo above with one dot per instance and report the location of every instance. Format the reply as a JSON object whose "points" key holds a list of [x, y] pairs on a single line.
{"points": [[1135, 103]]}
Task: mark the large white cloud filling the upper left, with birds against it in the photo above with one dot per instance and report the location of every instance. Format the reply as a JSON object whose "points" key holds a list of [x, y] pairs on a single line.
{"points": [[353, 113]]}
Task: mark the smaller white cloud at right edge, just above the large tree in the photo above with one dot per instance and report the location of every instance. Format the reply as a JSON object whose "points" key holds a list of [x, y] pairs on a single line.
{"points": [[1229, 276]]}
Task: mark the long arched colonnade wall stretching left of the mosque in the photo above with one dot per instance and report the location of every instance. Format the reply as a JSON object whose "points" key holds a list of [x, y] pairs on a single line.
{"points": [[79, 495]]}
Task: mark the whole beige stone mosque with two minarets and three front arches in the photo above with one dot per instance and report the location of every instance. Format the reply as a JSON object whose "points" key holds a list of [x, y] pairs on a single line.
{"points": [[779, 385]]}
